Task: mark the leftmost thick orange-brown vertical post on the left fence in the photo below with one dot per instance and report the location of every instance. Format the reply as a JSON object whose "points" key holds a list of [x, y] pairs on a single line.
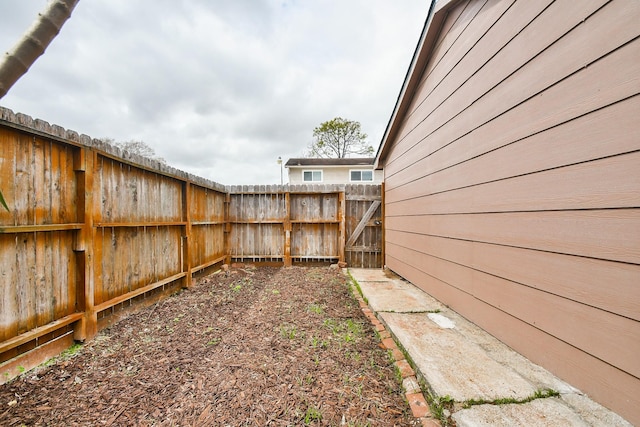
{"points": [[84, 162]]}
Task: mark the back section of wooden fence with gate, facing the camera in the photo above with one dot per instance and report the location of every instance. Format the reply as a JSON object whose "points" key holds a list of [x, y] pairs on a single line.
{"points": [[304, 223]]}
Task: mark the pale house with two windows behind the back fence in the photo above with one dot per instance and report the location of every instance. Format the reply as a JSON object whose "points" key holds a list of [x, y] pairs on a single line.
{"points": [[333, 171]]}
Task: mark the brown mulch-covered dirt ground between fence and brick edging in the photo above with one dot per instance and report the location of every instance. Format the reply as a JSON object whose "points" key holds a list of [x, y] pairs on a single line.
{"points": [[266, 346]]}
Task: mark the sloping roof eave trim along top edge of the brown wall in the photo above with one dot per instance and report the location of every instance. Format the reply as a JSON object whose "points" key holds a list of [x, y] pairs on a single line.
{"points": [[433, 24]]}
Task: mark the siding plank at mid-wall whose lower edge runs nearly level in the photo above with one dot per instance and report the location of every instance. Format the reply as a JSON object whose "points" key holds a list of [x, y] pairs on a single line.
{"points": [[613, 183]]}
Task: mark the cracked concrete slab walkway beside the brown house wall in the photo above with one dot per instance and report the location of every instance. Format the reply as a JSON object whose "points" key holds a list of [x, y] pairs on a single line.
{"points": [[458, 360]]}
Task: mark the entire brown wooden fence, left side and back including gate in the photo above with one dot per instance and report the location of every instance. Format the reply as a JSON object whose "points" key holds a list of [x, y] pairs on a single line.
{"points": [[92, 231]]}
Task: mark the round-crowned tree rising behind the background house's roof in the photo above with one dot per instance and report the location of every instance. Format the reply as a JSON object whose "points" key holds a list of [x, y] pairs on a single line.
{"points": [[339, 138]]}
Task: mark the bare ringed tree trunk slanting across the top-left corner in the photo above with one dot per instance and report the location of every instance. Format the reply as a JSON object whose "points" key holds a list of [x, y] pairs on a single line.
{"points": [[15, 63]]}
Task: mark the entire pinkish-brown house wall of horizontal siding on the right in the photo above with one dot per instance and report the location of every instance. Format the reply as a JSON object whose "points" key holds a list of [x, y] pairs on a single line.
{"points": [[513, 183]]}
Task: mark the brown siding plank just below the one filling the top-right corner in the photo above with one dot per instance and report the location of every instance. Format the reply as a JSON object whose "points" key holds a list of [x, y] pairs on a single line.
{"points": [[609, 81]]}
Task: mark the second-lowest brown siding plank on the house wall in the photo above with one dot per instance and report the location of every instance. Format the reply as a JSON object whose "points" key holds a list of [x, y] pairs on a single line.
{"points": [[602, 334]]}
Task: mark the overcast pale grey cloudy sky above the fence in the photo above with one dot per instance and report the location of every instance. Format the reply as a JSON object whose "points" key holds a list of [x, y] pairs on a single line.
{"points": [[219, 88]]}
